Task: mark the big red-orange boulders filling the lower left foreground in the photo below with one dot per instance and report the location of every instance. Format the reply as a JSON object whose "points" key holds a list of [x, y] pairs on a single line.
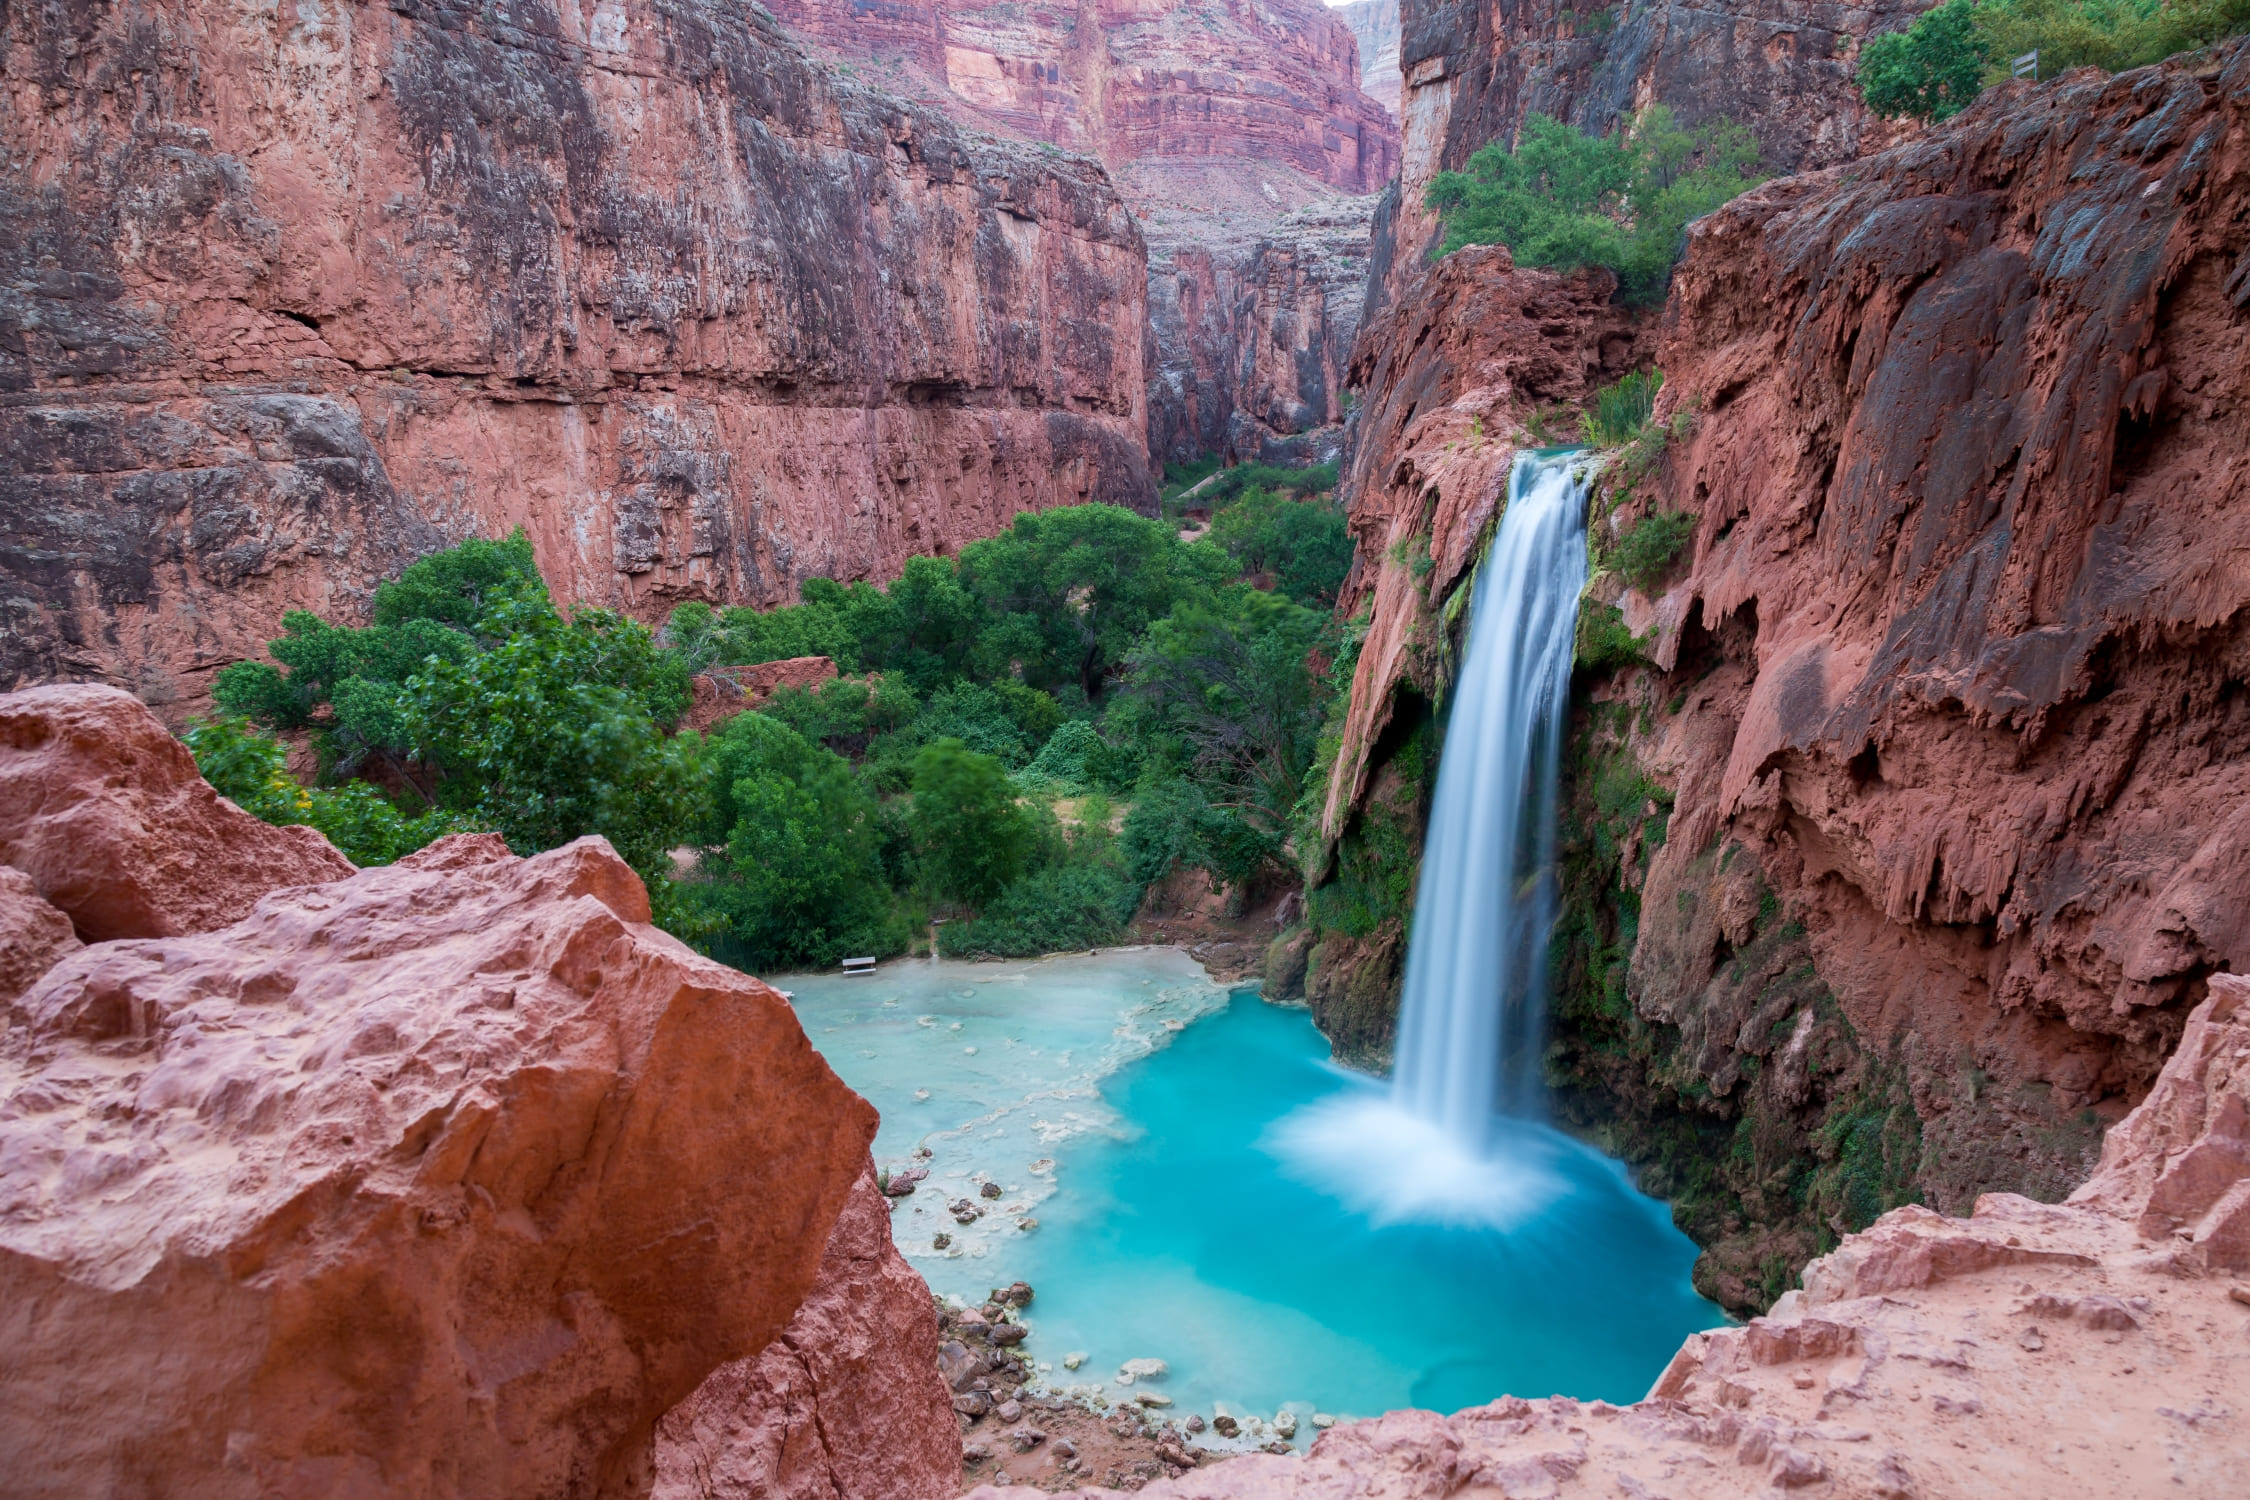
{"points": [[440, 1180]]}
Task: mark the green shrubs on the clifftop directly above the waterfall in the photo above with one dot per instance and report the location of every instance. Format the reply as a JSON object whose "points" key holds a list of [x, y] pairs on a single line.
{"points": [[1565, 199]]}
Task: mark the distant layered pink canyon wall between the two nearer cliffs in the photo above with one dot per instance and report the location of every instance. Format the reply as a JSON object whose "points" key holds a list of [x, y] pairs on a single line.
{"points": [[1221, 123]]}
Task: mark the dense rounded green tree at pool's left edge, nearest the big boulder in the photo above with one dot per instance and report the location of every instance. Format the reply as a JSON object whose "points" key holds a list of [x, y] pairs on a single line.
{"points": [[800, 883]]}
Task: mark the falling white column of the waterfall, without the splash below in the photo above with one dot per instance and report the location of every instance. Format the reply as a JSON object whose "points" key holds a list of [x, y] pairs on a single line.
{"points": [[1473, 1022]]}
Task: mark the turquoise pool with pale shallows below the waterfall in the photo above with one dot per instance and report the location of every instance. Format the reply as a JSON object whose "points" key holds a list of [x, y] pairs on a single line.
{"points": [[1209, 1191]]}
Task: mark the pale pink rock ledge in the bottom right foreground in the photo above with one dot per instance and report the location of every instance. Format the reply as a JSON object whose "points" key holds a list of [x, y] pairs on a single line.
{"points": [[2091, 1348]]}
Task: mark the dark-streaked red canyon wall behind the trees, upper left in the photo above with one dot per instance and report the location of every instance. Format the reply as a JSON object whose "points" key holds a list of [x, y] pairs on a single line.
{"points": [[294, 300]]}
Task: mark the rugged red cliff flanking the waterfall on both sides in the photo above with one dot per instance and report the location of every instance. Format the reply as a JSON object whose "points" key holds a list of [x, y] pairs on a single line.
{"points": [[1898, 835]]}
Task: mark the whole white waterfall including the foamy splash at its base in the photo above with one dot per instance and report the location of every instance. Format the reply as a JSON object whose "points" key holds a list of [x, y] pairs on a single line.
{"points": [[1473, 1027]]}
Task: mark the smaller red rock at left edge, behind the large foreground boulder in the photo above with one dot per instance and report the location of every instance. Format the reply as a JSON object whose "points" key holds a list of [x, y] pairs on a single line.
{"points": [[114, 824]]}
